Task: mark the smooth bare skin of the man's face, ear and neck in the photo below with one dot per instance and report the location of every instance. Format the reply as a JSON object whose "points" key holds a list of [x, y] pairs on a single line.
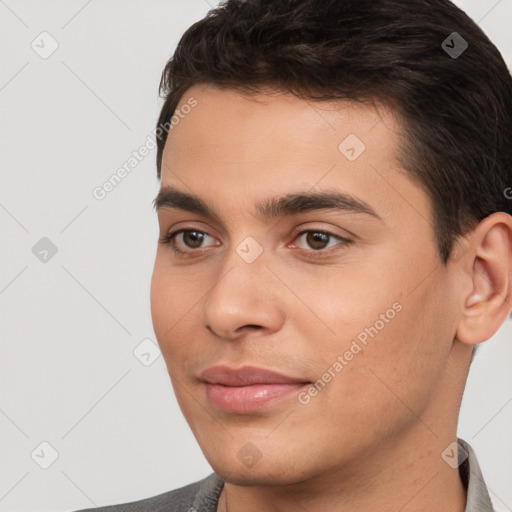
{"points": [[372, 438]]}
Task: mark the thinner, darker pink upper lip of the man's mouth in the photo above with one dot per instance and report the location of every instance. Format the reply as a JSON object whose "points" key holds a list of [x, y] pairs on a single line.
{"points": [[246, 376]]}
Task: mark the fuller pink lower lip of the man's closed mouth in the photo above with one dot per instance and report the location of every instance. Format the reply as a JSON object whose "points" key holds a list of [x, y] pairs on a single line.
{"points": [[249, 398]]}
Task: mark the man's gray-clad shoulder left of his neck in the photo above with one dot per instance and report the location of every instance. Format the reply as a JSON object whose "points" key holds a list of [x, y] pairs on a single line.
{"points": [[204, 493]]}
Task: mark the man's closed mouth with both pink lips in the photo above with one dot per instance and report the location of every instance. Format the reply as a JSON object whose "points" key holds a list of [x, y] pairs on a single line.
{"points": [[248, 389]]}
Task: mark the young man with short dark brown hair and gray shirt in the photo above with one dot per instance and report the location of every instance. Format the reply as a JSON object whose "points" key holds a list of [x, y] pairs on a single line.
{"points": [[335, 239]]}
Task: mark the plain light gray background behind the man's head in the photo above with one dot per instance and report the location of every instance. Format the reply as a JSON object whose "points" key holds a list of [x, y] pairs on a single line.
{"points": [[70, 325]]}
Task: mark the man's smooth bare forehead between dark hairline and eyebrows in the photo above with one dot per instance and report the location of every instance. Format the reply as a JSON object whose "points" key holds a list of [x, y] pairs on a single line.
{"points": [[271, 144]]}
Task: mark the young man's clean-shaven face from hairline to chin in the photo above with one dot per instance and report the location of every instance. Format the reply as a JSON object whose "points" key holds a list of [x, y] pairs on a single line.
{"points": [[307, 251]]}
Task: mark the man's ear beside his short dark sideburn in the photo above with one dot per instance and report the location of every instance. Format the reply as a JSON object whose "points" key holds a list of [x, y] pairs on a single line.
{"points": [[487, 266]]}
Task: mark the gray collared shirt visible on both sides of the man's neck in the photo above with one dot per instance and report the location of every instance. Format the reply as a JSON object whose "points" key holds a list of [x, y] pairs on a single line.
{"points": [[203, 496]]}
